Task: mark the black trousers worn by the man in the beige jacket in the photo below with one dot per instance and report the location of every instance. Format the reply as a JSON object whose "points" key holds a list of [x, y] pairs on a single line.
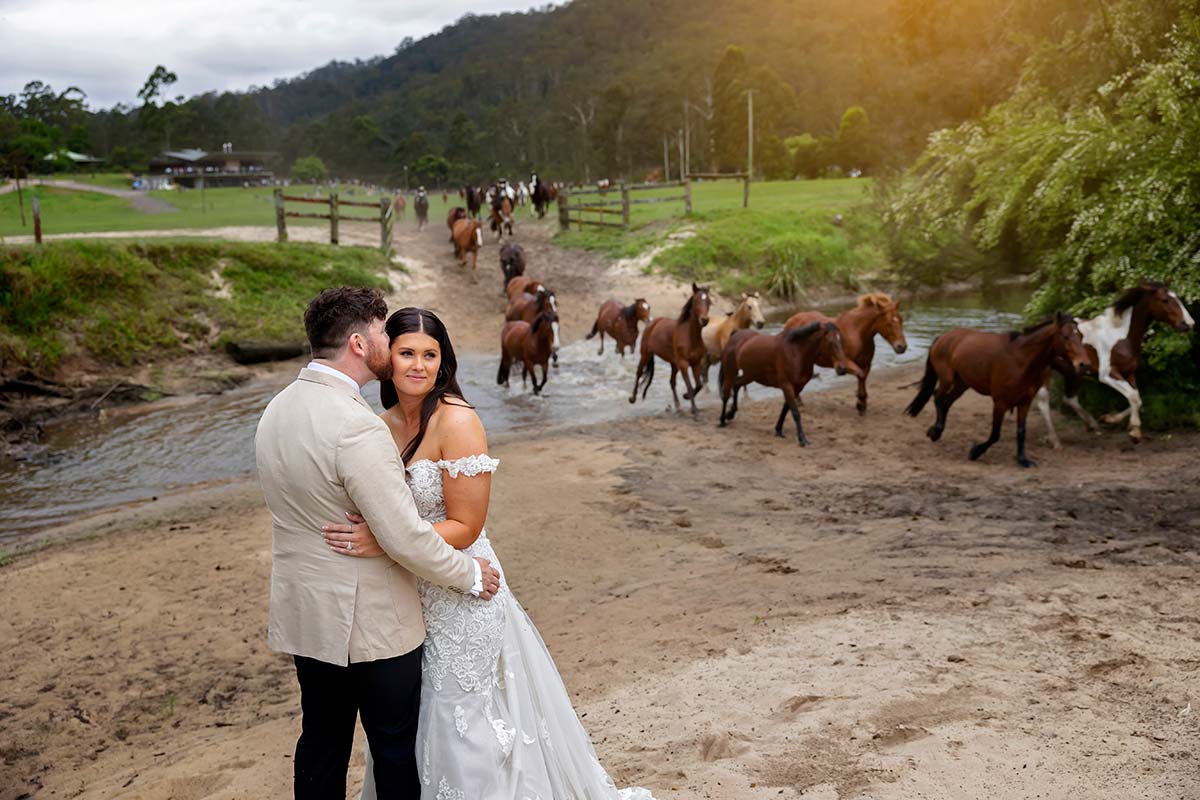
{"points": [[388, 695]]}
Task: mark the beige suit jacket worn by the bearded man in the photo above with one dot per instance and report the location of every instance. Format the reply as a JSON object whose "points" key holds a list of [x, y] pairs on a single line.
{"points": [[322, 452]]}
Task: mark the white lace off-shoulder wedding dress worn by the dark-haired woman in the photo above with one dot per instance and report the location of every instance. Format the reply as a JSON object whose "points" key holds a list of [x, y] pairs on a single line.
{"points": [[496, 721]]}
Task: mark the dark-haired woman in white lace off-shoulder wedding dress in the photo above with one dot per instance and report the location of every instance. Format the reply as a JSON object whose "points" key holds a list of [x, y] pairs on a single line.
{"points": [[496, 723]]}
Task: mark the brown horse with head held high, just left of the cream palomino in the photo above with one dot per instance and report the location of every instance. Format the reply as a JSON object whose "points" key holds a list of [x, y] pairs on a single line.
{"points": [[679, 342]]}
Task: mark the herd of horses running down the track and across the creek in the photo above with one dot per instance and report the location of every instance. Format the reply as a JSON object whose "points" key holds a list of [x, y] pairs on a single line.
{"points": [[1013, 369]]}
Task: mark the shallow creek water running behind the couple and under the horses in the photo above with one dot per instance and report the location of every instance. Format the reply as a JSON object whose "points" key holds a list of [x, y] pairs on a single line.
{"points": [[141, 453]]}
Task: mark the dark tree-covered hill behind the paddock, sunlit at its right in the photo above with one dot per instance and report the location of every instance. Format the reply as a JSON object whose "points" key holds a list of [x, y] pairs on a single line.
{"points": [[593, 87]]}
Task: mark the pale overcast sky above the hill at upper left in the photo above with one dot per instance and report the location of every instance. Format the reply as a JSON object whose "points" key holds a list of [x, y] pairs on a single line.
{"points": [[110, 47]]}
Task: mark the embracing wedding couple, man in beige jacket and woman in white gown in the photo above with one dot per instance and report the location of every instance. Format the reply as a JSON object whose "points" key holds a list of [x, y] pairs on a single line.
{"points": [[386, 590]]}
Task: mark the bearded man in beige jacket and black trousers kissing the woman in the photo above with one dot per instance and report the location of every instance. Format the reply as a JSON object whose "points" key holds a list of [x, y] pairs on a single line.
{"points": [[353, 627]]}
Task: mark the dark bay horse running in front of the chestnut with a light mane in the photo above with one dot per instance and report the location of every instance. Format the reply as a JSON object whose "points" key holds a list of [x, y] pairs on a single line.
{"points": [[784, 360]]}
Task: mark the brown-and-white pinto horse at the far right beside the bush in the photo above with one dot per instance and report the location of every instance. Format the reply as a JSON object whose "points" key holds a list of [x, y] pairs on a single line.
{"points": [[1113, 341]]}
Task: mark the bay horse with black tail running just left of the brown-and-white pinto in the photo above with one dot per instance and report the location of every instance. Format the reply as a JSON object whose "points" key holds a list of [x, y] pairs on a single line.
{"points": [[1009, 368]]}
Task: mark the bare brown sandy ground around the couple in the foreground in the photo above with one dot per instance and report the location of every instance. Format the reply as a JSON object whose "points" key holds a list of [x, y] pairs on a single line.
{"points": [[735, 617]]}
